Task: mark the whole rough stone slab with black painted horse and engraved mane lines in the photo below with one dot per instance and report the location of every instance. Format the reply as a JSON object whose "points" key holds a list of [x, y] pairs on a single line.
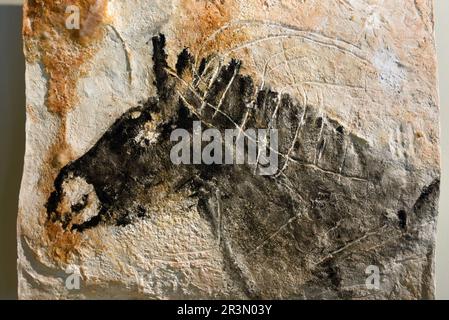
{"points": [[351, 86]]}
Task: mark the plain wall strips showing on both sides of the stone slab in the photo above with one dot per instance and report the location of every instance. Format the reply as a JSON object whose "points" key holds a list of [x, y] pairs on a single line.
{"points": [[12, 117]]}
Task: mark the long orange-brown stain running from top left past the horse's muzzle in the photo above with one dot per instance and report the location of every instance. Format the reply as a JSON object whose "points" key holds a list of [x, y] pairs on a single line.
{"points": [[63, 53]]}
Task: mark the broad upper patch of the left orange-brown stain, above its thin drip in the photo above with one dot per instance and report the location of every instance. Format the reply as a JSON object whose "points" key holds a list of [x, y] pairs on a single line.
{"points": [[62, 51]]}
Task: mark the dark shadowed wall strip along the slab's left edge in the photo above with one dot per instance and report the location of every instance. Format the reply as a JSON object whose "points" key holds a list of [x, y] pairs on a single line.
{"points": [[12, 141]]}
